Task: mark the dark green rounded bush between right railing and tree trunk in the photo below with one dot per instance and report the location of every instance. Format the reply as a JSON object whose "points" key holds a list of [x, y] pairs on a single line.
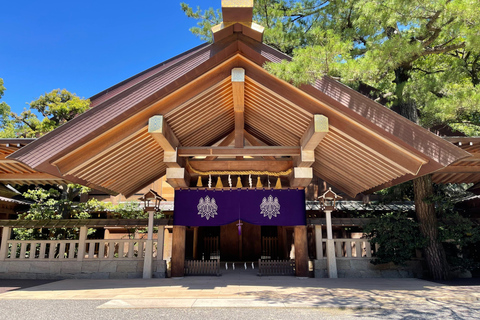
{"points": [[397, 237]]}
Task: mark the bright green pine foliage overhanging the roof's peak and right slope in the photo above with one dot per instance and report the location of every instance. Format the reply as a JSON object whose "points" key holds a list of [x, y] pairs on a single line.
{"points": [[421, 58]]}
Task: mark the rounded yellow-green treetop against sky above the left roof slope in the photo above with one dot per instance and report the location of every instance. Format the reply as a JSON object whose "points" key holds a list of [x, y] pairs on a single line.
{"points": [[57, 107]]}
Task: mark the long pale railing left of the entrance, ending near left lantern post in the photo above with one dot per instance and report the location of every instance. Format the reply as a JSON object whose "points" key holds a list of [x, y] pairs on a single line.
{"points": [[70, 249]]}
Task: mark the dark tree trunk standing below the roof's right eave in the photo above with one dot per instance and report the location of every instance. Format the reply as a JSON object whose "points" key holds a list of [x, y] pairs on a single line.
{"points": [[434, 251]]}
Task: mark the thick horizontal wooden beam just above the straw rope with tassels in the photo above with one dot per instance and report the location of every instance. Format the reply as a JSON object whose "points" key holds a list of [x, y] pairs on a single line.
{"points": [[233, 165]]}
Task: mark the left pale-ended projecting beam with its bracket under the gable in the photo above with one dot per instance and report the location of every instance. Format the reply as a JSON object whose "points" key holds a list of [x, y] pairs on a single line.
{"points": [[163, 134]]}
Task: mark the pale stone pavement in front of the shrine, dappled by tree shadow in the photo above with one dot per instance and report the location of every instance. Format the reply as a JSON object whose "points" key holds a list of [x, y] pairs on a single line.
{"points": [[247, 290]]}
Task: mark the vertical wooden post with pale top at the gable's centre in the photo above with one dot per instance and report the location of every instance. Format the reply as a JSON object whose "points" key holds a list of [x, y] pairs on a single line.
{"points": [[238, 91]]}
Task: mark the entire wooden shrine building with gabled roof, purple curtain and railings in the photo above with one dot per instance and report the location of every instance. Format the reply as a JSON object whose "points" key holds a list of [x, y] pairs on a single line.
{"points": [[238, 145]]}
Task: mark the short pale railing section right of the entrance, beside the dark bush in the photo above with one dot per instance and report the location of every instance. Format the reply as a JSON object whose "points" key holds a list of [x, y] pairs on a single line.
{"points": [[350, 248]]}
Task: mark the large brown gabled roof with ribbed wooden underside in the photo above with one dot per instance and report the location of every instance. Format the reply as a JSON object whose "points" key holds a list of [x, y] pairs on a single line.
{"points": [[109, 148]]}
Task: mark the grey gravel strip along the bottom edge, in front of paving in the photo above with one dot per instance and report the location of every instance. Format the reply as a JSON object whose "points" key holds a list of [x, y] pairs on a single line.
{"points": [[83, 309]]}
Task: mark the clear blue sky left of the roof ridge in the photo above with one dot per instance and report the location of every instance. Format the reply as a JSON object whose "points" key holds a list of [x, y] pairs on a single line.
{"points": [[86, 46]]}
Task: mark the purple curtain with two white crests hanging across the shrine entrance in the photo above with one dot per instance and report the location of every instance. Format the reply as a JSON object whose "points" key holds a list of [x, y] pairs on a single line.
{"points": [[265, 207]]}
